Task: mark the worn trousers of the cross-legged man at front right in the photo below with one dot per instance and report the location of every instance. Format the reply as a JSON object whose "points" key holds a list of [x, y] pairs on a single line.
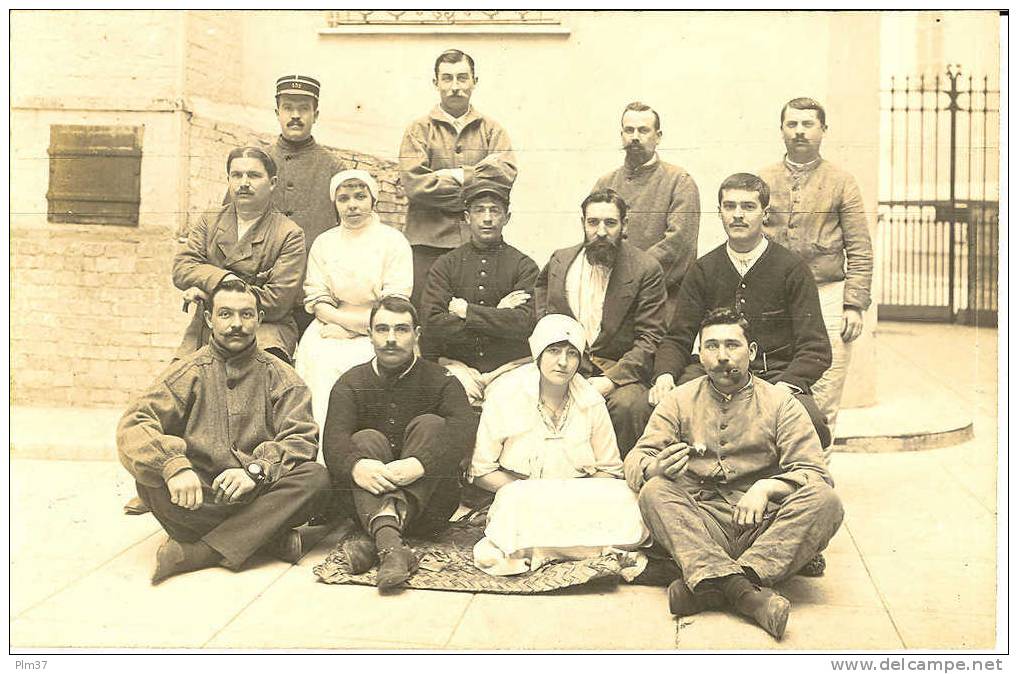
{"points": [[706, 544]]}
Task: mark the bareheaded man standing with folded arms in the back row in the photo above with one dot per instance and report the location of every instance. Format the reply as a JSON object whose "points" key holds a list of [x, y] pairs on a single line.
{"points": [[441, 152]]}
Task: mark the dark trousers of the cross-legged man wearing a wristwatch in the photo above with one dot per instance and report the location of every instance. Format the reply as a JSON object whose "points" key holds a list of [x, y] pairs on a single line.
{"points": [[237, 531]]}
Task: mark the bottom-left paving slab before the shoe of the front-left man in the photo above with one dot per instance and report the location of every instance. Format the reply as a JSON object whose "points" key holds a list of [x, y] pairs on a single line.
{"points": [[117, 607]]}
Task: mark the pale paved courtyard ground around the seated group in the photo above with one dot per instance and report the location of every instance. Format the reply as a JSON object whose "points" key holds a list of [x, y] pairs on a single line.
{"points": [[914, 568]]}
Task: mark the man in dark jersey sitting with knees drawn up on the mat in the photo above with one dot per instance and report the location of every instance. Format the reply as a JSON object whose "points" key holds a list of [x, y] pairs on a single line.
{"points": [[397, 431]]}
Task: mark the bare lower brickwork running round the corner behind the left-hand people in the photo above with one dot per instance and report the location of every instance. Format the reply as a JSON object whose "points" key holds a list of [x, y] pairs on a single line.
{"points": [[95, 316]]}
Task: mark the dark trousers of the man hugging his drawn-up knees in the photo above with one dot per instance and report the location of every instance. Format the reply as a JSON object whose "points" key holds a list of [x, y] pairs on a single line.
{"points": [[430, 501]]}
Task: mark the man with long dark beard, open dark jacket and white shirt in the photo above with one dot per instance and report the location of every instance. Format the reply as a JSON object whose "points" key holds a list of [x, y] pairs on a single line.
{"points": [[617, 294]]}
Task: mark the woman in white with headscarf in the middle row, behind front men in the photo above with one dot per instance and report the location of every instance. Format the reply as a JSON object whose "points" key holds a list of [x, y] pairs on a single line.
{"points": [[351, 267]]}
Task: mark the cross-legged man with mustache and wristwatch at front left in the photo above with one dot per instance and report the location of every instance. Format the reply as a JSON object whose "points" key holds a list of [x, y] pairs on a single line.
{"points": [[223, 446]]}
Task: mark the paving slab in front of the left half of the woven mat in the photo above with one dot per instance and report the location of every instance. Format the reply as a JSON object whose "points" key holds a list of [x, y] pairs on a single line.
{"points": [[299, 612]]}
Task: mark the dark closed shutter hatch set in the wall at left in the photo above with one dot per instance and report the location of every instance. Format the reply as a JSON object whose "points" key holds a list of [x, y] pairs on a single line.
{"points": [[95, 175]]}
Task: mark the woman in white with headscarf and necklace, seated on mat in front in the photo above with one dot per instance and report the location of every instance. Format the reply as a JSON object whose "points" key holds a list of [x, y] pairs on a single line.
{"points": [[543, 427]]}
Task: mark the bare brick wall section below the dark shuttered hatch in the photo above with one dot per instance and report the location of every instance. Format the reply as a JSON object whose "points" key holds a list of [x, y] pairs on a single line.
{"points": [[94, 315]]}
